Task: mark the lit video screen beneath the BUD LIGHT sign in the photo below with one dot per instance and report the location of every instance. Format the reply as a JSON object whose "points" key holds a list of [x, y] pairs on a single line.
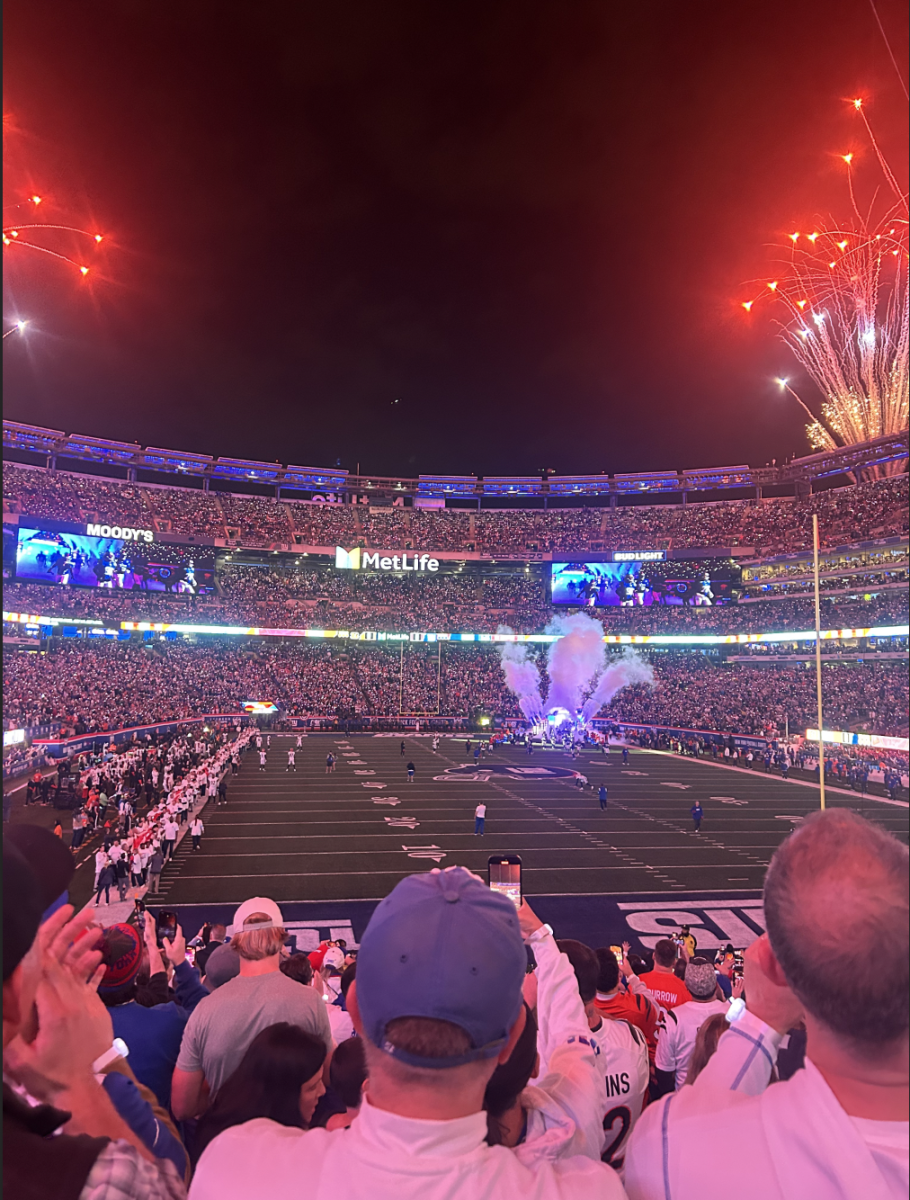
{"points": [[704, 583]]}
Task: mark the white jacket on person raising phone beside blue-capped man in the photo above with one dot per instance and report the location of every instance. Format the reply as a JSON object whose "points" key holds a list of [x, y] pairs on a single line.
{"points": [[566, 1107]]}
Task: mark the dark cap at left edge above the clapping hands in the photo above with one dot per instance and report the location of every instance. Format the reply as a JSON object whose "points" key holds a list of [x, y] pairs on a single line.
{"points": [[38, 869]]}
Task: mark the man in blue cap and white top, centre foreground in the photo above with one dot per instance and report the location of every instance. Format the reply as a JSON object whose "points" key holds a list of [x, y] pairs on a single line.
{"points": [[438, 1001]]}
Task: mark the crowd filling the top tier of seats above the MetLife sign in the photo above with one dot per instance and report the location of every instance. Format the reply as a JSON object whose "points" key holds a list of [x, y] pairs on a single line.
{"points": [[866, 511]]}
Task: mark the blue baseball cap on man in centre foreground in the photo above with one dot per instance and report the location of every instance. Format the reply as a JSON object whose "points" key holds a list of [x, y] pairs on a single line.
{"points": [[442, 946]]}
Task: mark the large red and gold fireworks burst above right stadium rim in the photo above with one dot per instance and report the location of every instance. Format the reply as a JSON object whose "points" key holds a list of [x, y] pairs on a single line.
{"points": [[846, 295]]}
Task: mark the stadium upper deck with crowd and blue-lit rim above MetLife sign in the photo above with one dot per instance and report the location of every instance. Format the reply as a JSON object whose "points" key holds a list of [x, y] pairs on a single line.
{"points": [[388, 513]]}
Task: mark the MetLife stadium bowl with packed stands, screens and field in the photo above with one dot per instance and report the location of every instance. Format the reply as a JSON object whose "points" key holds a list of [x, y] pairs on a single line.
{"points": [[362, 611]]}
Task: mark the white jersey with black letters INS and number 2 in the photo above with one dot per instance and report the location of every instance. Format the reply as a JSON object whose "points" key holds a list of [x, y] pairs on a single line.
{"points": [[627, 1073]]}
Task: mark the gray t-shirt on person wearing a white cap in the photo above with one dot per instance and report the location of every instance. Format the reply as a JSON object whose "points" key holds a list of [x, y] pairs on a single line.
{"points": [[223, 1027]]}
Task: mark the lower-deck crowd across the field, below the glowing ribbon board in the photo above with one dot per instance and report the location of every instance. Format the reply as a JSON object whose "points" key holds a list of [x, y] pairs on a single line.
{"points": [[111, 686]]}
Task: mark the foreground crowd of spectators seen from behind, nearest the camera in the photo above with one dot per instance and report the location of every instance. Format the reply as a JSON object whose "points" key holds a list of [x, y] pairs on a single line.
{"points": [[465, 1048]]}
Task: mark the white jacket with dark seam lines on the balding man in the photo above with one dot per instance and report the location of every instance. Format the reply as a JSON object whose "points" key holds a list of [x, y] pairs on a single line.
{"points": [[793, 1141]]}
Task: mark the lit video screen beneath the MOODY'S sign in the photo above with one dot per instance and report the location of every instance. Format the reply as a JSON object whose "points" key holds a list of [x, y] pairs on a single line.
{"points": [[75, 560]]}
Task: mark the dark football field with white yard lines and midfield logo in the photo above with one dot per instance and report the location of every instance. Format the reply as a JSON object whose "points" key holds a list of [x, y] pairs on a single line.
{"points": [[307, 836]]}
